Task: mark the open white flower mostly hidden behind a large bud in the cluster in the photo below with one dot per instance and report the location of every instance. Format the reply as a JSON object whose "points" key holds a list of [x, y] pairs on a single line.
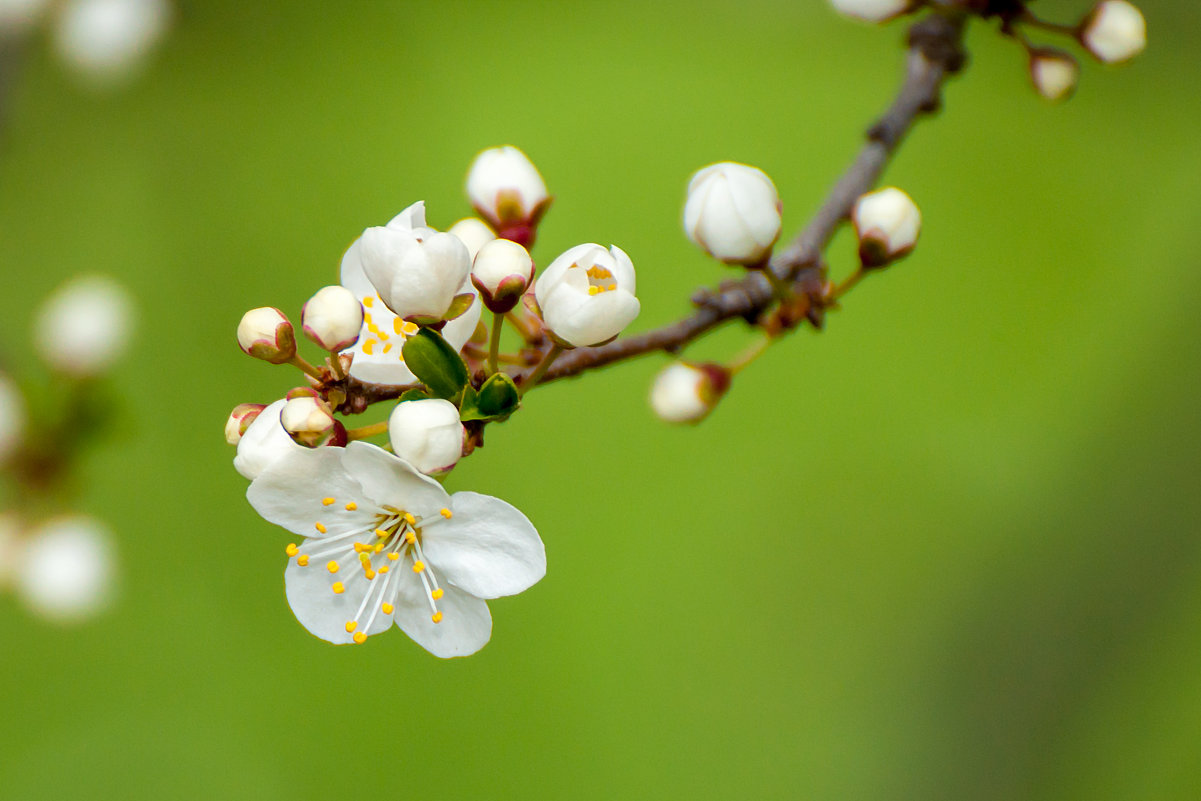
{"points": [[378, 356]]}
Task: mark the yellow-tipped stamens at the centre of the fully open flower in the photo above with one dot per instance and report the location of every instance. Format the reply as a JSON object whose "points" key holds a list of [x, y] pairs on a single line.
{"points": [[383, 554]]}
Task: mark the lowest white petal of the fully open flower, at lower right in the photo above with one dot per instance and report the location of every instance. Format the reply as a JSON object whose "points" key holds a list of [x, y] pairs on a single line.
{"points": [[465, 629]]}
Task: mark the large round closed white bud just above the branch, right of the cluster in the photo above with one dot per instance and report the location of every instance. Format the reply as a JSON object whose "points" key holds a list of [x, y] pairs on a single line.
{"points": [[733, 213]]}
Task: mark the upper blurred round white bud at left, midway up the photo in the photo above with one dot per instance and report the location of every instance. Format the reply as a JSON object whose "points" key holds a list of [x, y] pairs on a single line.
{"points": [[85, 326]]}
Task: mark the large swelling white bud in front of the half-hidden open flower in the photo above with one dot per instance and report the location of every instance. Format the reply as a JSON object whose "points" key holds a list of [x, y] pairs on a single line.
{"points": [[416, 273]]}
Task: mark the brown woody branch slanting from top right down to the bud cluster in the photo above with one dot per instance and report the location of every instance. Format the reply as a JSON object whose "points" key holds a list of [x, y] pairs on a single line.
{"points": [[935, 53]]}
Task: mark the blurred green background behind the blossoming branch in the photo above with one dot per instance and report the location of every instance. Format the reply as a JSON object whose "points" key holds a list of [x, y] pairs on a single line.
{"points": [[947, 549]]}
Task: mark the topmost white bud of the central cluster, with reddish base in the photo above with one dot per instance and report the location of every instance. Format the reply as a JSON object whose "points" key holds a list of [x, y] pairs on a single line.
{"points": [[506, 189]]}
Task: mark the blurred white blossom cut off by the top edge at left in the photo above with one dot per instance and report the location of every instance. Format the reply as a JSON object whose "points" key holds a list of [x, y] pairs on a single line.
{"points": [[109, 40]]}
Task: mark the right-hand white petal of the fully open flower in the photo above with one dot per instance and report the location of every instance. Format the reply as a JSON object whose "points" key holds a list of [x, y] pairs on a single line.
{"points": [[488, 548]]}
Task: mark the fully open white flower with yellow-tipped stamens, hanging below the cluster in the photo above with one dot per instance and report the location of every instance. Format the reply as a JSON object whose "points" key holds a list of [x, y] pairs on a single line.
{"points": [[385, 545]]}
